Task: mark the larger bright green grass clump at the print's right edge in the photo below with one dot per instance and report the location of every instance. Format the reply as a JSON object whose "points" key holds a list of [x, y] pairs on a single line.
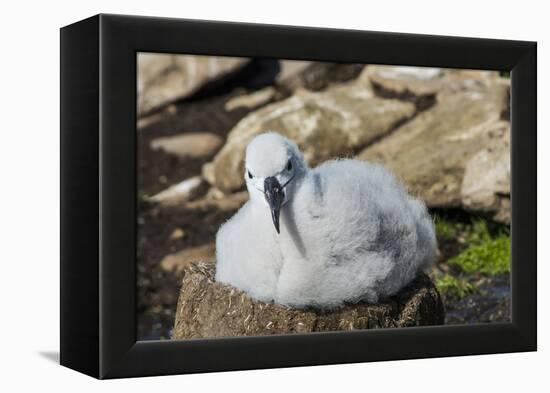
{"points": [[490, 256]]}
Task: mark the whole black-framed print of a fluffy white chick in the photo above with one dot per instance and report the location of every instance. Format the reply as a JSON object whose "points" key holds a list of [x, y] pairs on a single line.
{"points": [[239, 196]]}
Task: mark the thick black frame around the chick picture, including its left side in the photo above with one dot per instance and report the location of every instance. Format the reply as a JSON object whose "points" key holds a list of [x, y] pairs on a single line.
{"points": [[98, 195]]}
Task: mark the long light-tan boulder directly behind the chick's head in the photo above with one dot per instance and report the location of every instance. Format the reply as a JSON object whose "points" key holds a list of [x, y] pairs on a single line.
{"points": [[337, 122]]}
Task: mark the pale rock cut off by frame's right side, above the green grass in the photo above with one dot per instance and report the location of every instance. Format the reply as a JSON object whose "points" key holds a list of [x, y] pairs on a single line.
{"points": [[486, 182]]}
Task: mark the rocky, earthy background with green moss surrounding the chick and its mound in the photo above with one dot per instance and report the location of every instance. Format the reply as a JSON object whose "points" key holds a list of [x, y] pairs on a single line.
{"points": [[444, 132]]}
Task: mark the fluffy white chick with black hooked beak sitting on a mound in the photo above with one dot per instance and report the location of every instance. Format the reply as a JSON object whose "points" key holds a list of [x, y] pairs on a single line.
{"points": [[346, 231]]}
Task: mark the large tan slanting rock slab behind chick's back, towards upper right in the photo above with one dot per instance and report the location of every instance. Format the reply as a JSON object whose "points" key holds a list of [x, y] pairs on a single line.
{"points": [[430, 152]]}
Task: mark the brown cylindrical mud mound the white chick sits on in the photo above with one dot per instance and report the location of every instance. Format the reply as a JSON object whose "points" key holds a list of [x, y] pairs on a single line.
{"points": [[210, 309]]}
